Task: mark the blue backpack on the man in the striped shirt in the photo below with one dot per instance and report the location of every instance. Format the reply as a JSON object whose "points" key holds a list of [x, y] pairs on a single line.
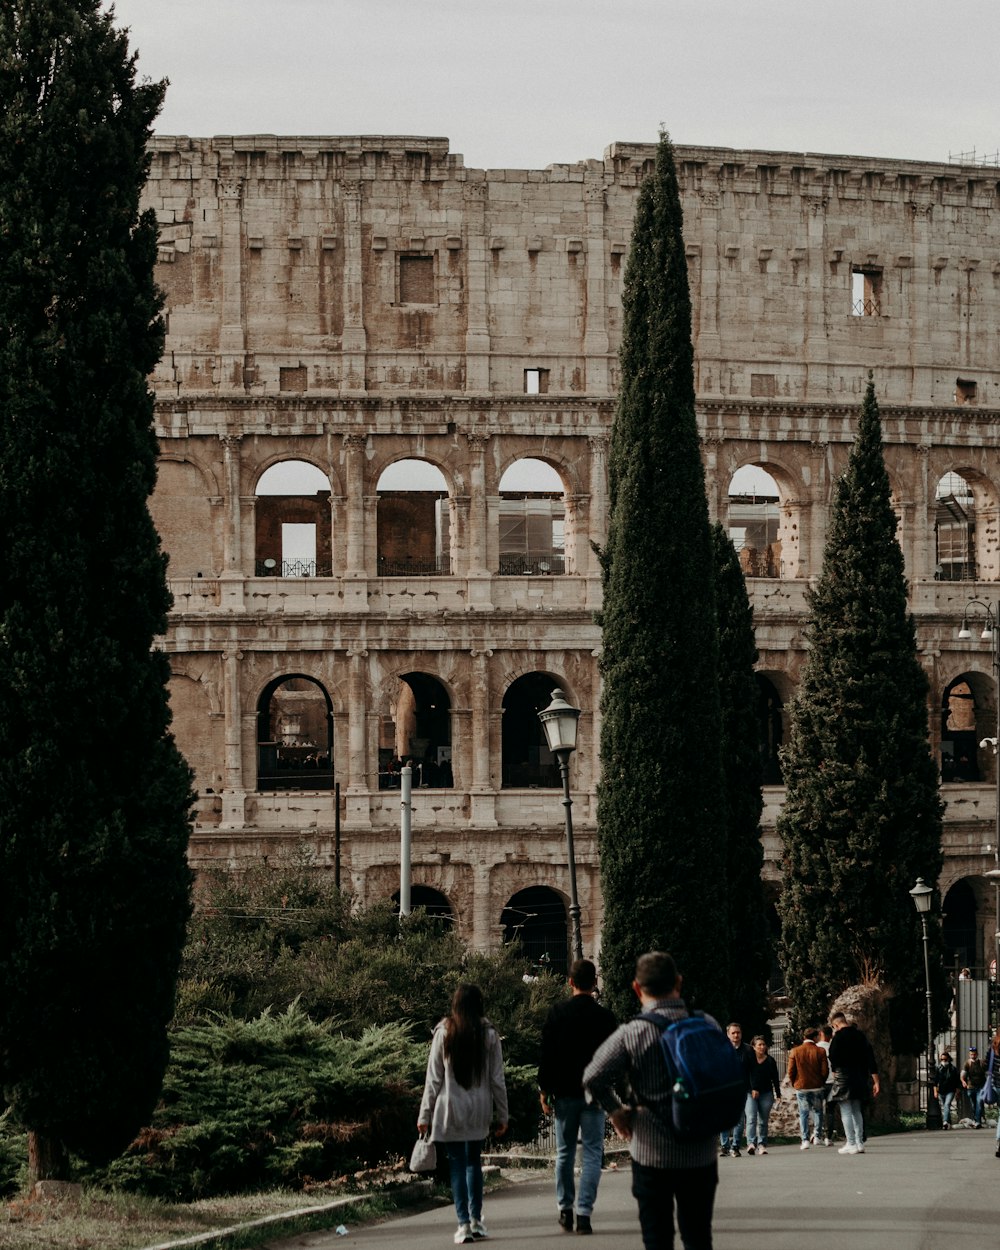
{"points": [[707, 1074]]}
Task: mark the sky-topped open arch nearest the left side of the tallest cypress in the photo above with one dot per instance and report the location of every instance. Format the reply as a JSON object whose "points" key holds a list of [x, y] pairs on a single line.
{"points": [[533, 521]]}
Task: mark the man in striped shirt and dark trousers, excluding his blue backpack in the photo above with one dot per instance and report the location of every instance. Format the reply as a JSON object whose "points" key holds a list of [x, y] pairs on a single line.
{"points": [[667, 1172]]}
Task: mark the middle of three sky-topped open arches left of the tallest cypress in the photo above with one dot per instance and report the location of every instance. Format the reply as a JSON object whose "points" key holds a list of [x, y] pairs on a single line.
{"points": [[414, 521]]}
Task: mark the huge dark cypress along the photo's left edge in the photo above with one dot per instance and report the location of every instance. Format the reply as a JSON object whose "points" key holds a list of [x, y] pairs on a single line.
{"points": [[94, 796]]}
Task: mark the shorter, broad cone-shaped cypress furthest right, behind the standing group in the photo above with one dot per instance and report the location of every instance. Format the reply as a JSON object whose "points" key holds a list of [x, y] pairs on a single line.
{"points": [[862, 818]]}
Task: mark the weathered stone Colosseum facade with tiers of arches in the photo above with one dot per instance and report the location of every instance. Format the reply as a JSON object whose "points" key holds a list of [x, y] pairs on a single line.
{"points": [[356, 306]]}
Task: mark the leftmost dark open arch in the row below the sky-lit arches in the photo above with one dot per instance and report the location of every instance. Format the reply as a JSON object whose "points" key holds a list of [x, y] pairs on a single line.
{"points": [[296, 736]]}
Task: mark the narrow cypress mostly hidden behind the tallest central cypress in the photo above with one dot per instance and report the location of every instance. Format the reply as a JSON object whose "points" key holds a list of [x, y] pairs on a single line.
{"points": [[744, 777]]}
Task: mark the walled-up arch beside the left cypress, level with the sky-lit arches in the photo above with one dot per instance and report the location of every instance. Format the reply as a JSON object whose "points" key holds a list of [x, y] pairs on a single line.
{"points": [[184, 513]]}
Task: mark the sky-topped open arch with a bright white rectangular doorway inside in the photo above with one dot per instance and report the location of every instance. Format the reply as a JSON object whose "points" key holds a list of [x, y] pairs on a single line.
{"points": [[293, 522]]}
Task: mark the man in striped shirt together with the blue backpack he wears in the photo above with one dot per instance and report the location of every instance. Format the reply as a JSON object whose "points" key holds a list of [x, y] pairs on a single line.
{"points": [[671, 1166]]}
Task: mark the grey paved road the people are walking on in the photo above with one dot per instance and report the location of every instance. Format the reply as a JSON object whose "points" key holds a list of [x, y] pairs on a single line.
{"points": [[908, 1192]]}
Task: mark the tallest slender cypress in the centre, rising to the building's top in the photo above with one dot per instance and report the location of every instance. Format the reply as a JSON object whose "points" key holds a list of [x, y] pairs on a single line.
{"points": [[661, 816]]}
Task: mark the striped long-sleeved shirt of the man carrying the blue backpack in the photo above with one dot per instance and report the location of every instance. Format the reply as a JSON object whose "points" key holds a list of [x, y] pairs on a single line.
{"points": [[632, 1058]]}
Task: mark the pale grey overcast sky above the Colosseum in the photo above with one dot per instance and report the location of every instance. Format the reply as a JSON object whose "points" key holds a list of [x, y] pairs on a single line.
{"points": [[529, 83]]}
